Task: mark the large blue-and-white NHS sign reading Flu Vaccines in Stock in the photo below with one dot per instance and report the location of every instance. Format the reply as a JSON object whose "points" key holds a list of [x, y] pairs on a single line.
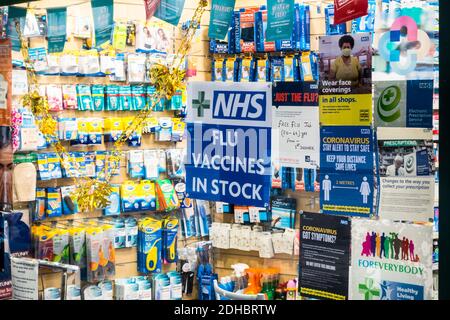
{"points": [[229, 142]]}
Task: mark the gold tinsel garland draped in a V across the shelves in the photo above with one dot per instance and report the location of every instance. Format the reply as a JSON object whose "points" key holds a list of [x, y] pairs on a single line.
{"points": [[91, 194]]}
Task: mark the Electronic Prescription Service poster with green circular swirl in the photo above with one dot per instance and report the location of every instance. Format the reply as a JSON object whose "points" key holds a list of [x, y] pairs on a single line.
{"points": [[404, 103]]}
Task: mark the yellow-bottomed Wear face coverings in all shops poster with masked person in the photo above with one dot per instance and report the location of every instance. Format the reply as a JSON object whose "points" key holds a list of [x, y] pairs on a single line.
{"points": [[345, 79]]}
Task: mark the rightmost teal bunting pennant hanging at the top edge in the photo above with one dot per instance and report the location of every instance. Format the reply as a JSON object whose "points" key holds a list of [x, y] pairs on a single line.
{"points": [[280, 19]]}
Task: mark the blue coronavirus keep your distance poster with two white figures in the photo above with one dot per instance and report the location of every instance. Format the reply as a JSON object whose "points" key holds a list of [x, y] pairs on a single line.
{"points": [[346, 173]]}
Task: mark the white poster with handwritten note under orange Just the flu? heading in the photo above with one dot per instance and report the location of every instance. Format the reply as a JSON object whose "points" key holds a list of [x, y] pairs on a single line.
{"points": [[295, 129]]}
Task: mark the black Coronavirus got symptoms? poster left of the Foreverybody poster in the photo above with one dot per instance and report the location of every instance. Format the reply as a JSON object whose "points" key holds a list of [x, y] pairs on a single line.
{"points": [[324, 256]]}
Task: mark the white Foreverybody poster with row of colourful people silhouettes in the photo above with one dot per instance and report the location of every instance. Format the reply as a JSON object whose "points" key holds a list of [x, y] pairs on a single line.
{"points": [[390, 261]]}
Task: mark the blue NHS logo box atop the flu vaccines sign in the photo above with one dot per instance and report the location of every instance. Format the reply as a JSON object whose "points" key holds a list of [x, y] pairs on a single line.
{"points": [[239, 105]]}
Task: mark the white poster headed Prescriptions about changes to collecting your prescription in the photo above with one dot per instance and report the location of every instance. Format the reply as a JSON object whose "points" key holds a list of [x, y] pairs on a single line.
{"points": [[406, 169]]}
